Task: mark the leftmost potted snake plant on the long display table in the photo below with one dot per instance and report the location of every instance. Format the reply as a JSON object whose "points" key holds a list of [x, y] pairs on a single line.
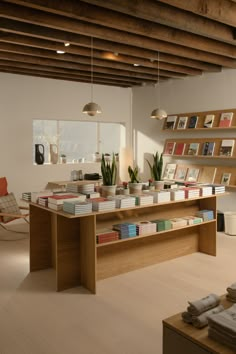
{"points": [[109, 174]]}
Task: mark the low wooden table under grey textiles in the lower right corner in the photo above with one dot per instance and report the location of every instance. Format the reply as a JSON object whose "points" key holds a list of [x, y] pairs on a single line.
{"points": [[182, 338]]}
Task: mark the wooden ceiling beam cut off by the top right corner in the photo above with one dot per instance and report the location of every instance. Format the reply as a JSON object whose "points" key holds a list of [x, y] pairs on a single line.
{"points": [[218, 10]]}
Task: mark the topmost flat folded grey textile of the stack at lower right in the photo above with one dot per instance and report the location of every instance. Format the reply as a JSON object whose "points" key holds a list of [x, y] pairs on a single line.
{"points": [[225, 321]]}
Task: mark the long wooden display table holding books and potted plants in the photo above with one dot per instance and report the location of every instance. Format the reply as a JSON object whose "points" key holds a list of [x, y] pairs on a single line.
{"points": [[68, 242]]}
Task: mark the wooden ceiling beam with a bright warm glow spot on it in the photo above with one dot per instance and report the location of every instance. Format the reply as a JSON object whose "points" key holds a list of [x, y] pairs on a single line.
{"points": [[84, 51]]}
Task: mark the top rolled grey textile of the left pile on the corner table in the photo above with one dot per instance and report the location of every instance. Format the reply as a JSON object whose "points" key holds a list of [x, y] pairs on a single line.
{"points": [[206, 303]]}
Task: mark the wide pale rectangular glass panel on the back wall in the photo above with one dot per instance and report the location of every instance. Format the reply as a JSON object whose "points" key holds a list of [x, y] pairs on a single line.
{"points": [[77, 141]]}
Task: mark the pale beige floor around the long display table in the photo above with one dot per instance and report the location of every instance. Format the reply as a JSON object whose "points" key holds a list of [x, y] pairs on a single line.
{"points": [[125, 317]]}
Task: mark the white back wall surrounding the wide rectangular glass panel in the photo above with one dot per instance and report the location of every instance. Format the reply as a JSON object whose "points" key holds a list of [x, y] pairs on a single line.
{"points": [[24, 98]]}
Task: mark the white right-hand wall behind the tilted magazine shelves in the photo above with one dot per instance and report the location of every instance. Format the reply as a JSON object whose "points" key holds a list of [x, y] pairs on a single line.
{"points": [[212, 91]]}
